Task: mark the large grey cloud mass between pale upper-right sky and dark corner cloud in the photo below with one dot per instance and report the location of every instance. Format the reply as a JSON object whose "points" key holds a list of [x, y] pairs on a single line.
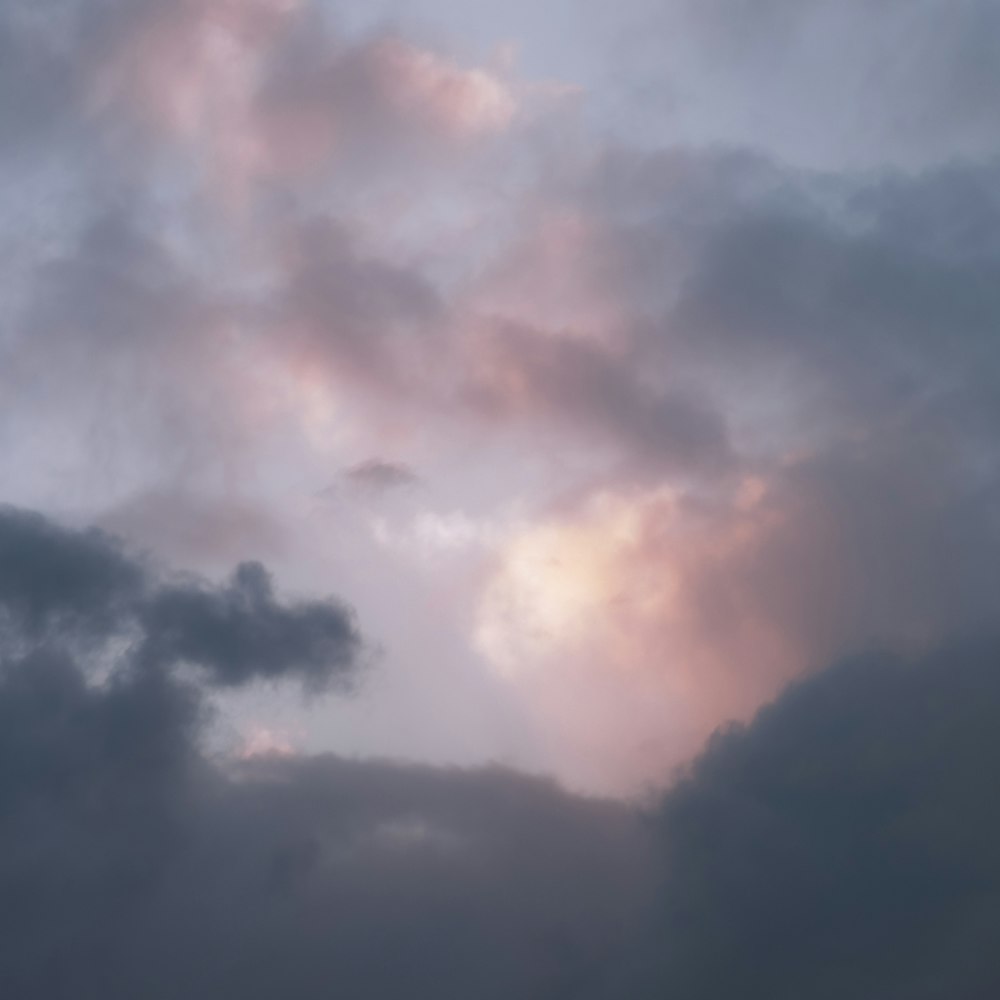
{"points": [[847, 326]]}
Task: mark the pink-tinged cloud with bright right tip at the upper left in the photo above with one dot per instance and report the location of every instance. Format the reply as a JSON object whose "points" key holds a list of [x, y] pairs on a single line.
{"points": [[261, 92]]}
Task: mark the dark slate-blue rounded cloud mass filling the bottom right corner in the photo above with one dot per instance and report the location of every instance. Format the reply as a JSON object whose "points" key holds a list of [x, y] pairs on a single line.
{"points": [[843, 844]]}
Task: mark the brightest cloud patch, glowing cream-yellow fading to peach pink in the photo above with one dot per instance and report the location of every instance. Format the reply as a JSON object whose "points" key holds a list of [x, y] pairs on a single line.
{"points": [[627, 628]]}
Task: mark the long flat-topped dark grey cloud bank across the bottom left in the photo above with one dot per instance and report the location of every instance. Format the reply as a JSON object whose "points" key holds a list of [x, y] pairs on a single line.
{"points": [[131, 865]]}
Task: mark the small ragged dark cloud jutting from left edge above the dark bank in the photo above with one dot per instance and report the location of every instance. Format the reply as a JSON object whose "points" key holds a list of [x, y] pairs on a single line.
{"points": [[70, 585]]}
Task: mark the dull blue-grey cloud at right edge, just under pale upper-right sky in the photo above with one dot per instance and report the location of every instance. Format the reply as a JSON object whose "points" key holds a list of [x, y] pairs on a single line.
{"points": [[869, 310]]}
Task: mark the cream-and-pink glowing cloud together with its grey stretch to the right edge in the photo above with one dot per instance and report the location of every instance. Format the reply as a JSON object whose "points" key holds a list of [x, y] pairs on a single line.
{"points": [[668, 610]]}
